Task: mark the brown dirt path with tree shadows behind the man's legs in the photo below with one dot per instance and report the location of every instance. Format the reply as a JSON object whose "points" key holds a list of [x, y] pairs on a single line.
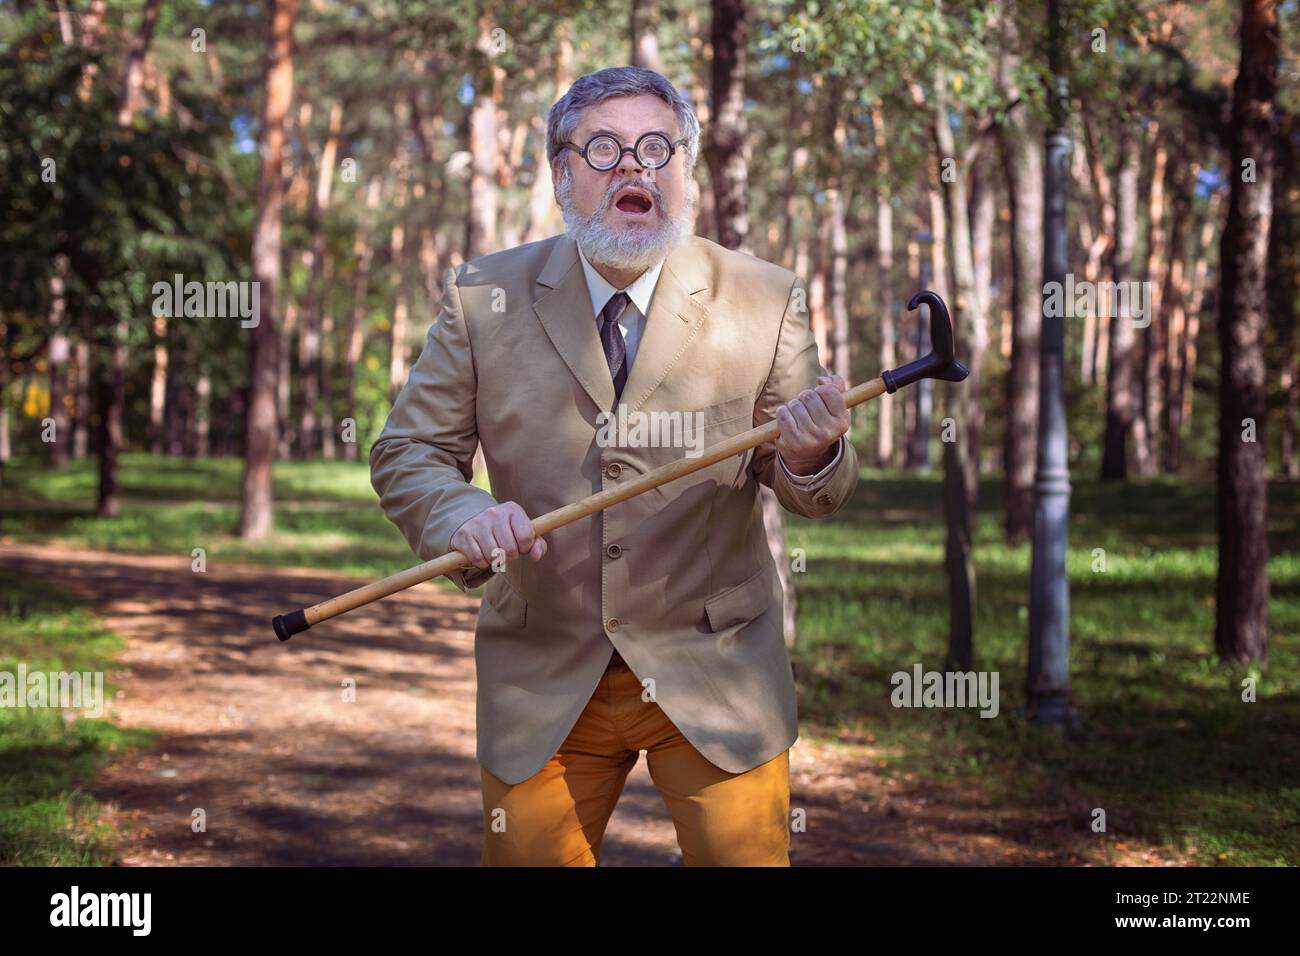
{"points": [[258, 736]]}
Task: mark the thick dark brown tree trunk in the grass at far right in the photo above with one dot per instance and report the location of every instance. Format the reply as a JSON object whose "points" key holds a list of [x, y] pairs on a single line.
{"points": [[1242, 612]]}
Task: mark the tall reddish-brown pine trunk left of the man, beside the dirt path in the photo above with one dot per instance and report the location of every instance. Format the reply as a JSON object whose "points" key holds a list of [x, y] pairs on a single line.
{"points": [[262, 432]]}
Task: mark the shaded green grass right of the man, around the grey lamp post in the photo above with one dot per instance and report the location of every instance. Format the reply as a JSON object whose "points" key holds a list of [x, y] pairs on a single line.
{"points": [[1168, 747]]}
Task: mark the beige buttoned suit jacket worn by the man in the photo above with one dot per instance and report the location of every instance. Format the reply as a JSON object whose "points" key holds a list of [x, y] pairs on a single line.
{"points": [[679, 579]]}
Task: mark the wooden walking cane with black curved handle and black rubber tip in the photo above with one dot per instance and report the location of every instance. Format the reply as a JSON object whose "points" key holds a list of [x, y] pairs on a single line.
{"points": [[938, 365]]}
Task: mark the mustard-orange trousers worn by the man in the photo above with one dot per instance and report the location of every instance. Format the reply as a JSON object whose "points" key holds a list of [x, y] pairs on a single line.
{"points": [[558, 816]]}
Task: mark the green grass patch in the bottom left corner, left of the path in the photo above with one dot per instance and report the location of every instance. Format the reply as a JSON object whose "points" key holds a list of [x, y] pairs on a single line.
{"points": [[47, 819]]}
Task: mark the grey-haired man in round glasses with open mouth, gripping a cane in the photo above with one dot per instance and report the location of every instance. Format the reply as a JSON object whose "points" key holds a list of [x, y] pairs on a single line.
{"points": [[656, 625]]}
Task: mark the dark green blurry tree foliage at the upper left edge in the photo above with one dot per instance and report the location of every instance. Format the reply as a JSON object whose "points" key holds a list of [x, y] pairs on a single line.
{"points": [[128, 207]]}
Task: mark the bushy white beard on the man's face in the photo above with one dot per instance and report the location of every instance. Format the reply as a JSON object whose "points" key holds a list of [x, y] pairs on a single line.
{"points": [[623, 249]]}
